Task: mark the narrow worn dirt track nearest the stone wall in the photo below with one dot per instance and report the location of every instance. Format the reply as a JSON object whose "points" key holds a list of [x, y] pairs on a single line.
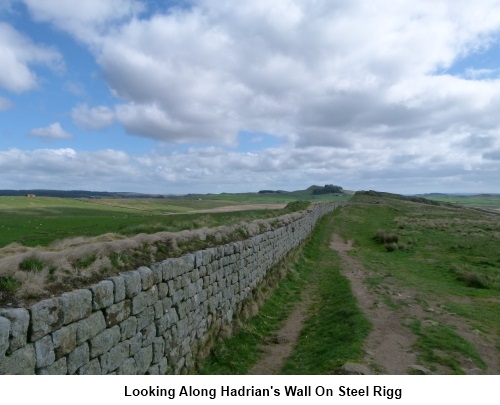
{"points": [[279, 347]]}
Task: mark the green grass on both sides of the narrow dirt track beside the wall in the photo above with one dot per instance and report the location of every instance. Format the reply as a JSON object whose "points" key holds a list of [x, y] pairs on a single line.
{"points": [[333, 334]]}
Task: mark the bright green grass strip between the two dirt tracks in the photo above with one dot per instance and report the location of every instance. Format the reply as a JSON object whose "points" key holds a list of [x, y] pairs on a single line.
{"points": [[336, 328]]}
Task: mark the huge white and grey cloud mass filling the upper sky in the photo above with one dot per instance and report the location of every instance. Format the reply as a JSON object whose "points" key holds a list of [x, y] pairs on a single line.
{"points": [[315, 71]]}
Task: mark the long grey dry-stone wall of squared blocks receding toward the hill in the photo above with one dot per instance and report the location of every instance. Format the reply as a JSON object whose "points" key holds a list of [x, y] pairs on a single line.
{"points": [[152, 320]]}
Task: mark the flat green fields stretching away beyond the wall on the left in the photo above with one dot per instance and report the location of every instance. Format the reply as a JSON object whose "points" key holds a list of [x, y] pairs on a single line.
{"points": [[43, 220]]}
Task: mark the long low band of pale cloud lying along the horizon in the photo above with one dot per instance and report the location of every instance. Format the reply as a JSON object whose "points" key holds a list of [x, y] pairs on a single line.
{"points": [[395, 165]]}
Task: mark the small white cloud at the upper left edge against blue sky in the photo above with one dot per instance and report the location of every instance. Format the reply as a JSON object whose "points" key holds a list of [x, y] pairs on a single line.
{"points": [[18, 54]]}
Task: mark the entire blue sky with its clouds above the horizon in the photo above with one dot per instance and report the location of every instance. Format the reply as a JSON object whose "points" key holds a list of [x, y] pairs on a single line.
{"points": [[211, 96]]}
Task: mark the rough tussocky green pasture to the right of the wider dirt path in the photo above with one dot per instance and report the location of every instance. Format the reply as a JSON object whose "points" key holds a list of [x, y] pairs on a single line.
{"points": [[448, 255]]}
